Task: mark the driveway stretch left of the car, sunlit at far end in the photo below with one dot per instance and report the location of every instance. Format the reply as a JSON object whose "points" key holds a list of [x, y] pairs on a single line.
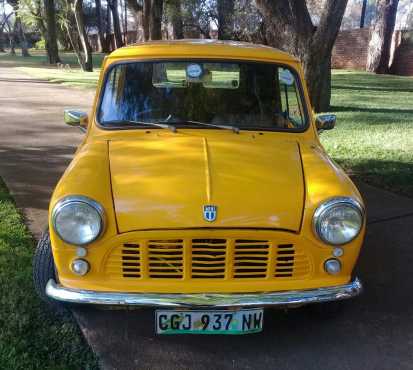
{"points": [[35, 145]]}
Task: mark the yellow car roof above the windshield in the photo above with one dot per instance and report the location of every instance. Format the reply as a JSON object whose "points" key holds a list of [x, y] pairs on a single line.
{"points": [[202, 48]]}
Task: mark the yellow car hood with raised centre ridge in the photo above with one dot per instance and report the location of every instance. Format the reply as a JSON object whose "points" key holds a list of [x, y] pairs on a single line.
{"points": [[164, 182]]}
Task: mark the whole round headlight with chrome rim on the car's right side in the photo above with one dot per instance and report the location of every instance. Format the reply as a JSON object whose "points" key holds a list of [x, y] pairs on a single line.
{"points": [[338, 221]]}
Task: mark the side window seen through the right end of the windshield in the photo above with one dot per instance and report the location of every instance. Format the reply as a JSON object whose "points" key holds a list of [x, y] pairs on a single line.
{"points": [[290, 98]]}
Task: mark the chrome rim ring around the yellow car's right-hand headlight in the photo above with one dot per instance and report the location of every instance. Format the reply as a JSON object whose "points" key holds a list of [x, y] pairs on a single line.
{"points": [[330, 203]]}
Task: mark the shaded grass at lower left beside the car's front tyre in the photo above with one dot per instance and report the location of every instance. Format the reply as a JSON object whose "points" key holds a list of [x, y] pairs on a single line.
{"points": [[30, 336]]}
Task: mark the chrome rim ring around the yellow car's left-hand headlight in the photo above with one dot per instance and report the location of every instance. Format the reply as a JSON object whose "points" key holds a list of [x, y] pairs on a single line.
{"points": [[71, 199]]}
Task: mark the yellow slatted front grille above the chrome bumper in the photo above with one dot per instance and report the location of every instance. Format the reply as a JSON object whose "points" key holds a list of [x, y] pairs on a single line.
{"points": [[218, 259]]}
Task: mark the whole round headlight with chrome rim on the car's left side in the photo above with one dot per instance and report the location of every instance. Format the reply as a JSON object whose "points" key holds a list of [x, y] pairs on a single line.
{"points": [[78, 220]]}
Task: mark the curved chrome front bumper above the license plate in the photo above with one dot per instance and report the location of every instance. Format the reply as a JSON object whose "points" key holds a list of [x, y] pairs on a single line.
{"points": [[213, 300]]}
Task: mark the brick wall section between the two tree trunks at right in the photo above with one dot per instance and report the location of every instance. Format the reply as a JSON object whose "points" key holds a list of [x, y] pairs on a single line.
{"points": [[350, 49]]}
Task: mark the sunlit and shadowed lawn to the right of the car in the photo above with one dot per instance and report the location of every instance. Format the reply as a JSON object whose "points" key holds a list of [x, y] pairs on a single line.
{"points": [[373, 139]]}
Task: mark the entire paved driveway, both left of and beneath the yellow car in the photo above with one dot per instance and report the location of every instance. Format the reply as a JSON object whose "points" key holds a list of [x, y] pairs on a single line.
{"points": [[375, 331]]}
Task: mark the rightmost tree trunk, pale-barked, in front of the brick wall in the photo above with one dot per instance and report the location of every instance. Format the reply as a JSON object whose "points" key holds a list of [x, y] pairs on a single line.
{"points": [[380, 40]]}
